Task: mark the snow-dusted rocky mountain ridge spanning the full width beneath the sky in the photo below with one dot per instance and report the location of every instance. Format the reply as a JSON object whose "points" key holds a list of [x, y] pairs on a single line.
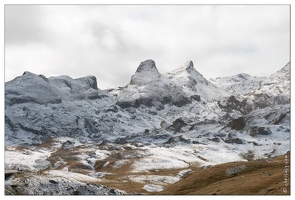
{"points": [[39, 108]]}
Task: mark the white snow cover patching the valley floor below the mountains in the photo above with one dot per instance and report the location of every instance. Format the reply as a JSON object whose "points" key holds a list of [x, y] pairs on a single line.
{"points": [[149, 158]]}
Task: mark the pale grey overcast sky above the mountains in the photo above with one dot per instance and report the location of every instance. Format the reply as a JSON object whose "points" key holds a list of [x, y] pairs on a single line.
{"points": [[110, 41]]}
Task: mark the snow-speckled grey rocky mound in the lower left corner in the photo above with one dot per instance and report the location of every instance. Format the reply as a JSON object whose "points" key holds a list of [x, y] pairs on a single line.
{"points": [[46, 184]]}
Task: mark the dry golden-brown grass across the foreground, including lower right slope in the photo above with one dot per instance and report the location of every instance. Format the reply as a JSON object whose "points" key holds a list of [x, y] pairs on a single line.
{"points": [[259, 176]]}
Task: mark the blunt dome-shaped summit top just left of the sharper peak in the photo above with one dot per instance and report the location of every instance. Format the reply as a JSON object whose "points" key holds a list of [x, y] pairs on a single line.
{"points": [[146, 72]]}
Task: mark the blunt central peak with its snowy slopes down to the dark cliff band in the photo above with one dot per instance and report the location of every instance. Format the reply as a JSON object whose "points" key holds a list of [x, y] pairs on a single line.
{"points": [[150, 88]]}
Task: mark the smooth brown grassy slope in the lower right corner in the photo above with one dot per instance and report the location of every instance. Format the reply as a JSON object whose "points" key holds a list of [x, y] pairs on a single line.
{"points": [[260, 177]]}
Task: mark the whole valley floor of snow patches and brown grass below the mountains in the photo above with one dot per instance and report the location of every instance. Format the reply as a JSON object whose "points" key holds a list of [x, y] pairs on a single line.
{"points": [[61, 167]]}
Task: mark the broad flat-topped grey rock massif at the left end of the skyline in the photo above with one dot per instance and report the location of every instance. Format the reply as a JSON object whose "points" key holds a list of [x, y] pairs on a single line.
{"points": [[32, 88]]}
